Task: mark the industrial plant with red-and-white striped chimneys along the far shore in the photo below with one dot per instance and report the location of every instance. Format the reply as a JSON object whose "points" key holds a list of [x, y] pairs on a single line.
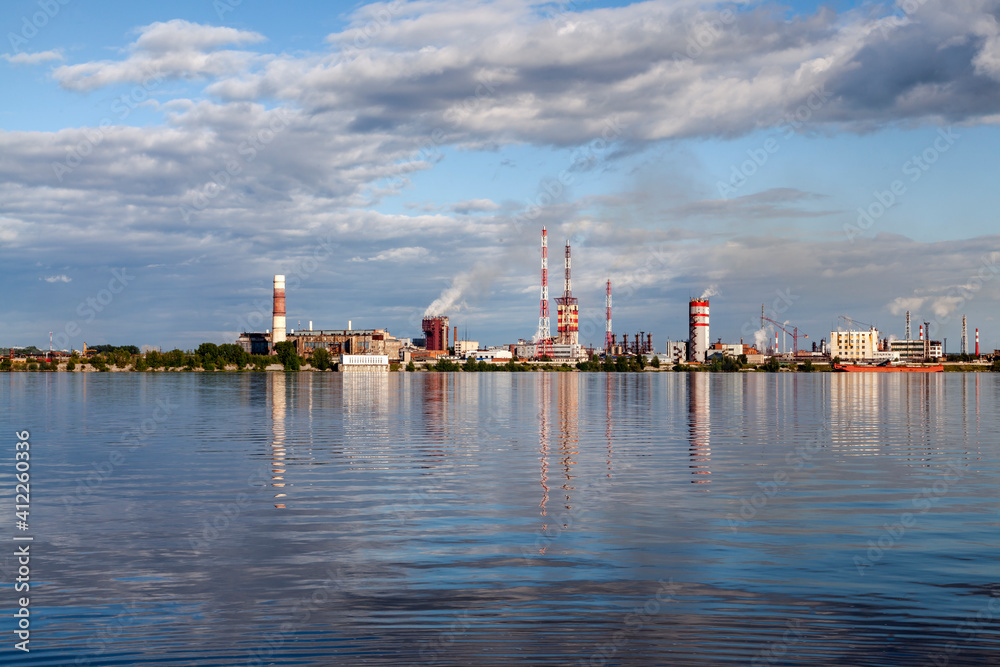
{"points": [[375, 349]]}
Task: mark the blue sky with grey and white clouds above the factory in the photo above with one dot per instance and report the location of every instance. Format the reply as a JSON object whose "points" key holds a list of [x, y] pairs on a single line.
{"points": [[160, 162]]}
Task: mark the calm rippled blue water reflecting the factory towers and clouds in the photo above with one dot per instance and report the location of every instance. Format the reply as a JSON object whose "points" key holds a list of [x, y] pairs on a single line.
{"points": [[583, 519]]}
